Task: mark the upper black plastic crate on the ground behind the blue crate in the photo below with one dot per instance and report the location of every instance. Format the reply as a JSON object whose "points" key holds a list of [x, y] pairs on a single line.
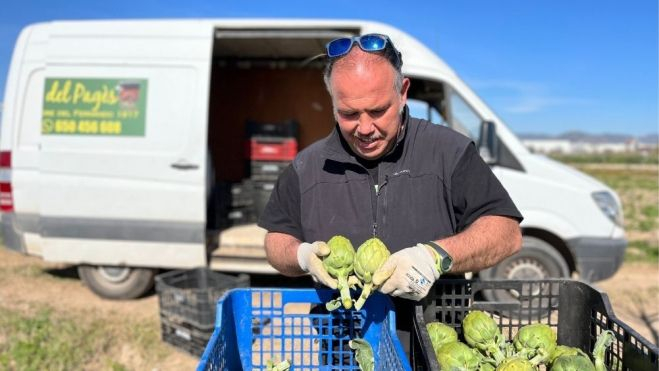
{"points": [[189, 296]]}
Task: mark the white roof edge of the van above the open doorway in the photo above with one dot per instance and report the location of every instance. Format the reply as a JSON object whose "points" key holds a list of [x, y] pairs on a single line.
{"points": [[419, 60]]}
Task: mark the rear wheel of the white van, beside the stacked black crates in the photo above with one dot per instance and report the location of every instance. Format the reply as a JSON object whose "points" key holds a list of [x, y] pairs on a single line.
{"points": [[117, 282]]}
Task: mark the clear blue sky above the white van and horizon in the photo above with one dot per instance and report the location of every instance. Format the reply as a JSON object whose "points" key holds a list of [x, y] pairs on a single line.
{"points": [[545, 66]]}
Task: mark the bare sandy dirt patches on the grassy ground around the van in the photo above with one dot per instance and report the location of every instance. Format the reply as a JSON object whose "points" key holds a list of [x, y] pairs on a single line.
{"points": [[633, 292]]}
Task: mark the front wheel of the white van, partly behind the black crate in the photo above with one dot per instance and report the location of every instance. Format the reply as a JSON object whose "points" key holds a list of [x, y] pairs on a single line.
{"points": [[536, 260]]}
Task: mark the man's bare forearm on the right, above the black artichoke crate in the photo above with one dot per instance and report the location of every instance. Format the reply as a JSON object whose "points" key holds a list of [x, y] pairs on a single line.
{"points": [[487, 241]]}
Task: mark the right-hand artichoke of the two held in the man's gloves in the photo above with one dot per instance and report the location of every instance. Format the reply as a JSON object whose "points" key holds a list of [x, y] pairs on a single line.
{"points": [[370, 256]]}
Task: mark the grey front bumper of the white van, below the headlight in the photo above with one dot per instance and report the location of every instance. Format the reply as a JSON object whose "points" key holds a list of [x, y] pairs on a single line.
{"points": [[597, 258]]}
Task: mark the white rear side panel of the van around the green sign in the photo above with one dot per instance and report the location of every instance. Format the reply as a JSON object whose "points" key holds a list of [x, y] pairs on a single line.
{"points": [[129, 188]]}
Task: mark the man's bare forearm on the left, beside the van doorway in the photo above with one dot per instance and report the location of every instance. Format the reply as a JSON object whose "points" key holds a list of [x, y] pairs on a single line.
{"points": [[281, 251]]}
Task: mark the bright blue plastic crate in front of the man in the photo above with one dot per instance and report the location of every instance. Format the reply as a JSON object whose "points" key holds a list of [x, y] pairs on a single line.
{"points": [[256, 325]]}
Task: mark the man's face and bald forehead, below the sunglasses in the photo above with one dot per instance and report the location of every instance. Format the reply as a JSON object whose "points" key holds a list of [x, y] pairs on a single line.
{"points": [[366, 106]]}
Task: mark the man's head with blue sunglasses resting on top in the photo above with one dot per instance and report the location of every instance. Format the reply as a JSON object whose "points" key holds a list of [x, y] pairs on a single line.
{"points": [[368, 92]]}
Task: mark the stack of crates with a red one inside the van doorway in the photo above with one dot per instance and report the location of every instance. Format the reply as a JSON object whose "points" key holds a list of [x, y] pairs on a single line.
{"points": [[270, 148]]}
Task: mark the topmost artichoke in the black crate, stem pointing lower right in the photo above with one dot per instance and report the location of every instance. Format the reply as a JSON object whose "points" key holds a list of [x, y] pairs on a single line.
{"points": [[483, 333]]}
